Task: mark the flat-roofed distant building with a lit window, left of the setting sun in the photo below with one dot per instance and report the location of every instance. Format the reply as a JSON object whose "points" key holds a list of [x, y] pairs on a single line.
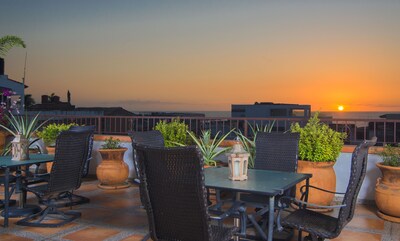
{"points": [[270, 109]]}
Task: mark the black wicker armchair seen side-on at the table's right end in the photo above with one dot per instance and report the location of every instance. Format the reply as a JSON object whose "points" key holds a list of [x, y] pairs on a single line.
{"points": [[321, 226]]}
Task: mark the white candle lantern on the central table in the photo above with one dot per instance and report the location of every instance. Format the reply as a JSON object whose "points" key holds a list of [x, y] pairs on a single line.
{"points": [[238, 160]]}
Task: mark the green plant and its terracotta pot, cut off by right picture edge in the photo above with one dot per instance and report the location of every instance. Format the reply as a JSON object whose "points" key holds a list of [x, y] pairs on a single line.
{"points": [[387, 191]]}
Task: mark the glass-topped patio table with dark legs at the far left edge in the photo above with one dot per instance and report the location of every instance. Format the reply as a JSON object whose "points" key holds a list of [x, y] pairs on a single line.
{"points": [[6, 163]]}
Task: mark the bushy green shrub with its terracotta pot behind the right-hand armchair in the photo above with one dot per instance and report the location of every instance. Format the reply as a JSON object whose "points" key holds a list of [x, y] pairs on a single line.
{"points": [[319, 147]]}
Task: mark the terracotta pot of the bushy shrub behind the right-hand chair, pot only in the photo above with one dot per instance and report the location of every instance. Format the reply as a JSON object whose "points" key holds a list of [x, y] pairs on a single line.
{"points": [[323, 176]]}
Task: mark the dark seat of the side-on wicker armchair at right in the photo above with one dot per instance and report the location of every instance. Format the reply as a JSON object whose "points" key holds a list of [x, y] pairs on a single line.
{"points": [[317, 223]]}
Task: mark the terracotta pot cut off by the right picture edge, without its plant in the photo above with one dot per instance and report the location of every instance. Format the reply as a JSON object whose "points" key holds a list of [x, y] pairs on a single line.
{"points": [[387, 193]]}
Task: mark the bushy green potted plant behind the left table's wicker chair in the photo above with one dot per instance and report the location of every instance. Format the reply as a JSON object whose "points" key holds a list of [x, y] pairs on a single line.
{"points": [[49, 135]]}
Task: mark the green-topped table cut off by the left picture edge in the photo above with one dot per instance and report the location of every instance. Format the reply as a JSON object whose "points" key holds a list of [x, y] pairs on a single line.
{"points": [[6, 163]]}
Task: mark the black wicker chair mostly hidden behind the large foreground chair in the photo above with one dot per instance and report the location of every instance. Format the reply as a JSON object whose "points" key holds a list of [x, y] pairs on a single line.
{"points": [[149, 138]]}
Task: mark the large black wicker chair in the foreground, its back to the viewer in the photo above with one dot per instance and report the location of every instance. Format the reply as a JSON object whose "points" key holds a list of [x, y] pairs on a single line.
{"points": [[174, 195]]}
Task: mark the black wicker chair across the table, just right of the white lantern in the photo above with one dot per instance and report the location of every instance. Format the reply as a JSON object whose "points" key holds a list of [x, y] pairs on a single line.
{"points": [[278, 152]]}
